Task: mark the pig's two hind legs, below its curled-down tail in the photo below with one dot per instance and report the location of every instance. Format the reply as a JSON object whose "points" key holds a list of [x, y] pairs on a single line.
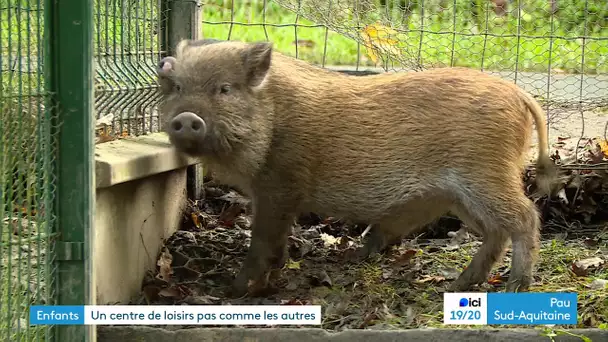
{"points": [[506, 217]]}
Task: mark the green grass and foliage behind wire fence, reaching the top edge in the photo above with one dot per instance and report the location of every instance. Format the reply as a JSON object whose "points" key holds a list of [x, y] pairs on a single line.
{"points": [[477, 38]]}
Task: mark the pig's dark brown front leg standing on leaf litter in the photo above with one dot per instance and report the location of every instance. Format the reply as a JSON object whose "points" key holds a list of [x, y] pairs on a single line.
{"points": [[272, 220]]}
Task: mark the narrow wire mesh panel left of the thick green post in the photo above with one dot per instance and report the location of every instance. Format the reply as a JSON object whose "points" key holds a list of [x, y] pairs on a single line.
{"points": [[27, 180]]}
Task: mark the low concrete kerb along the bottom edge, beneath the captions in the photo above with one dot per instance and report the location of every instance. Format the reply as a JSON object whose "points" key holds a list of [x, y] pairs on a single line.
{"points": [[142, 334]]}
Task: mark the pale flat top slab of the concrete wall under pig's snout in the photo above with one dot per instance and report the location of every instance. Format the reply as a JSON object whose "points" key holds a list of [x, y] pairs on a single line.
{"points": [[125, 160]]}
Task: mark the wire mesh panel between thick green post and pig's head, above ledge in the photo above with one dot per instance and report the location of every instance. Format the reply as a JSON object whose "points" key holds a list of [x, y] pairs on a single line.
{"points": [[127, 47]]}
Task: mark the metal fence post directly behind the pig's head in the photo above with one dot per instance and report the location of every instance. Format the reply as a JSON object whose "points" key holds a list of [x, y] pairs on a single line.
{"points": [[183, 21]]}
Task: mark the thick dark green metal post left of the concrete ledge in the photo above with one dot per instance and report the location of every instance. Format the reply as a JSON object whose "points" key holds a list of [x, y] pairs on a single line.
{"points": [[69, 70]]}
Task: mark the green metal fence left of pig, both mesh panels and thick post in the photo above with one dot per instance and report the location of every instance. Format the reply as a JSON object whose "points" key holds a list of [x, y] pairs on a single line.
{"points": [[34, 43]]}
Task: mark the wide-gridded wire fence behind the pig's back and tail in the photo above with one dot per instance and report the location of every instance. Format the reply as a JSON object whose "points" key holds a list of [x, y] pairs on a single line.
{"points": [[556, 49]]}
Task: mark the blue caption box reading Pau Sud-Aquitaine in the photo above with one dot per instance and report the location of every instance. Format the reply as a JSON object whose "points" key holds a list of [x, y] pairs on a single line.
{"points": [[532, 308]]}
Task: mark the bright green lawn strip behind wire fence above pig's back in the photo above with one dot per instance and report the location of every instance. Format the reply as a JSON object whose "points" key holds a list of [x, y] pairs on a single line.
{"points": [[503, 51]]}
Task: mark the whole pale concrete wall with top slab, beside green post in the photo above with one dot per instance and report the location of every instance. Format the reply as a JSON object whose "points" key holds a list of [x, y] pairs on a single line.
{"points": [[140, 198]]}
